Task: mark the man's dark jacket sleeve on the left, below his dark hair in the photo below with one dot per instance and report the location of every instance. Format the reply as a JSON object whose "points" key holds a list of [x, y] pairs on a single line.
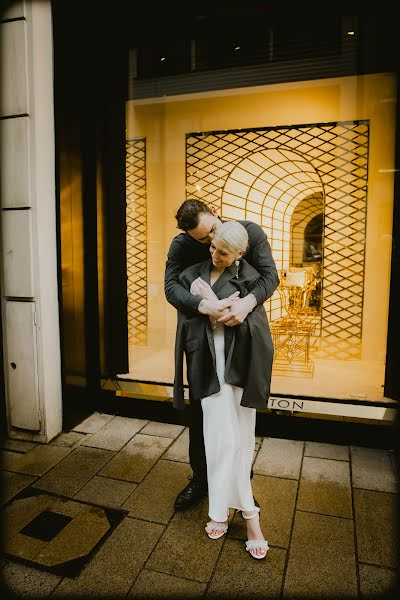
{"points": [[175, 293]]}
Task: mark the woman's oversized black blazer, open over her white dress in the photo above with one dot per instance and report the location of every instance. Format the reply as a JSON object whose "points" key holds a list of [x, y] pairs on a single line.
{"points": [[248, 347]]}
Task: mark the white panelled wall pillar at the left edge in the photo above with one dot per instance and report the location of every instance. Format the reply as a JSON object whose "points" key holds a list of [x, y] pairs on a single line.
{"points": [[31, 336]]}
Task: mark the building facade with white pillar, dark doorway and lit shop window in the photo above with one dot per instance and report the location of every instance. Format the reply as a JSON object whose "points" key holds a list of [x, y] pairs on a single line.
{"points": [[109, 122]]}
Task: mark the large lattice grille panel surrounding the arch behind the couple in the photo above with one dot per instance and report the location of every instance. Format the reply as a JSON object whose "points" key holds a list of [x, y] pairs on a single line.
{"points": [[264, 174]]}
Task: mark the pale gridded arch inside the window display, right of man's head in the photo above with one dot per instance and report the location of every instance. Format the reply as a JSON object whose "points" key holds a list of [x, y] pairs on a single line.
{"points": [[280, 190]]}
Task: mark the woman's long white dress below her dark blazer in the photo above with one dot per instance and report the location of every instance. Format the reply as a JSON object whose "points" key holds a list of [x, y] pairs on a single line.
{"points": [[229, 439]]}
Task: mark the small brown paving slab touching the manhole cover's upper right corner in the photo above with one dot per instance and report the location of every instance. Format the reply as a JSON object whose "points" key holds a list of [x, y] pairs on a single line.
{"points": [[106, 491]]}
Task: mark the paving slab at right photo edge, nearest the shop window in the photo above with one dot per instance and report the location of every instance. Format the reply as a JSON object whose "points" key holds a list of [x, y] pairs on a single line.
{"points": [[372, 469]]}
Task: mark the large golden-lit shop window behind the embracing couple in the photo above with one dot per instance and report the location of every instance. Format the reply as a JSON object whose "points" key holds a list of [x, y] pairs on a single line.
{"points": [[304, 161]]}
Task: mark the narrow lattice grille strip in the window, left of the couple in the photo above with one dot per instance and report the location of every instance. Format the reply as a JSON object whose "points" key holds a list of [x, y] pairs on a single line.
{"points": [[136, 240]]}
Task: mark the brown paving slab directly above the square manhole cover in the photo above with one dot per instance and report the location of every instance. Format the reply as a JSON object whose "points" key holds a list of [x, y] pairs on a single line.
{"points": [[71, 474]]}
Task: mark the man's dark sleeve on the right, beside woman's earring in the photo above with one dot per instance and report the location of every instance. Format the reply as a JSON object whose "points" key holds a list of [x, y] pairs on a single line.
{"points": [[260, 257]]}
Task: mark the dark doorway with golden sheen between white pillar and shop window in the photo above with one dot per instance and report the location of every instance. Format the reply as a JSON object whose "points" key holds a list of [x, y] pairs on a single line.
{"points": [[90, 71]]}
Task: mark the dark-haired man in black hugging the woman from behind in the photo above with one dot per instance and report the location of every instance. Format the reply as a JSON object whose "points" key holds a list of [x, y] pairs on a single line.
{"points": [[199, 222]]}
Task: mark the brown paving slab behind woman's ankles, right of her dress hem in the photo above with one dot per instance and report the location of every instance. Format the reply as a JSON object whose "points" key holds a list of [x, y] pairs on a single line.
{"points": [[277, 499]]}
